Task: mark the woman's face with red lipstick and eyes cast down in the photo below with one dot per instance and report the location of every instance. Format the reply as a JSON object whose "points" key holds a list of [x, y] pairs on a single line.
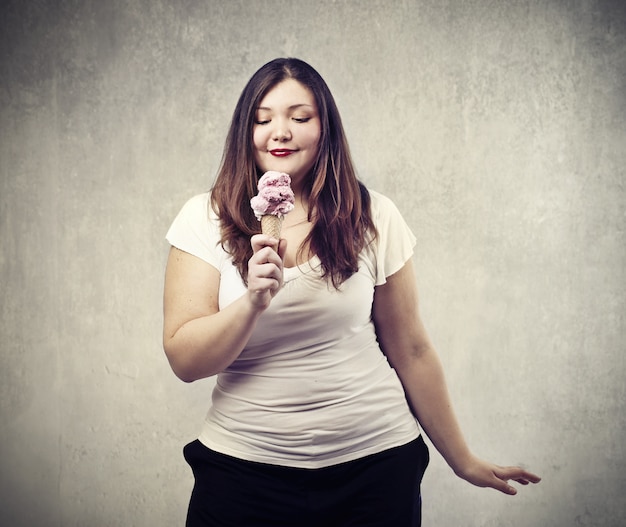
{"points": [[287, 130]]}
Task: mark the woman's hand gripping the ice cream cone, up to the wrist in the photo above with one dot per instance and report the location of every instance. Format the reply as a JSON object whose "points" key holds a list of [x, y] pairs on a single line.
{"points": [[265, 269]]}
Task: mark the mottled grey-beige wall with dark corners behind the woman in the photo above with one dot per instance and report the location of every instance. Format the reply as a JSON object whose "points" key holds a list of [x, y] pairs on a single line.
{"points": [[497, 127]]}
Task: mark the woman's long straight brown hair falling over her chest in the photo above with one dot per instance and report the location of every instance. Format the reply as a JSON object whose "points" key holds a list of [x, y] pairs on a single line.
{"points": [[339, 204]]}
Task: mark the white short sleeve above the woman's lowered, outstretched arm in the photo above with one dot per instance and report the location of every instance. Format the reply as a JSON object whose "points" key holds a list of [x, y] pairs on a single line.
{"points": [[395, 243]]}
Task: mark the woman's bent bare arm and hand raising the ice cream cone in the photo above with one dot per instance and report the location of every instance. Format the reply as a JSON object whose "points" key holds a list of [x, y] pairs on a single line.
{"points": [[199, 339]]}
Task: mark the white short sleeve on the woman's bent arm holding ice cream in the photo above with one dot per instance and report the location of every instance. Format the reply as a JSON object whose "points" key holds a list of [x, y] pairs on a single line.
{"points": [[195, 230]]}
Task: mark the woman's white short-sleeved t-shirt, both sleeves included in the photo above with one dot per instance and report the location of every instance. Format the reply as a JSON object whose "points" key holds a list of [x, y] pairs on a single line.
{"points": [[312, 387]]}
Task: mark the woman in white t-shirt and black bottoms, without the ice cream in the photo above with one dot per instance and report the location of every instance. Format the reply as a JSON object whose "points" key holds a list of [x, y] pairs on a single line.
{"points": [[324, 367]]}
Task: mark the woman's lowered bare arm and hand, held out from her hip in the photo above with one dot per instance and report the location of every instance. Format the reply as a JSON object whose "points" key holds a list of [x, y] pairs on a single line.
{"points": [[404, 340]]}
